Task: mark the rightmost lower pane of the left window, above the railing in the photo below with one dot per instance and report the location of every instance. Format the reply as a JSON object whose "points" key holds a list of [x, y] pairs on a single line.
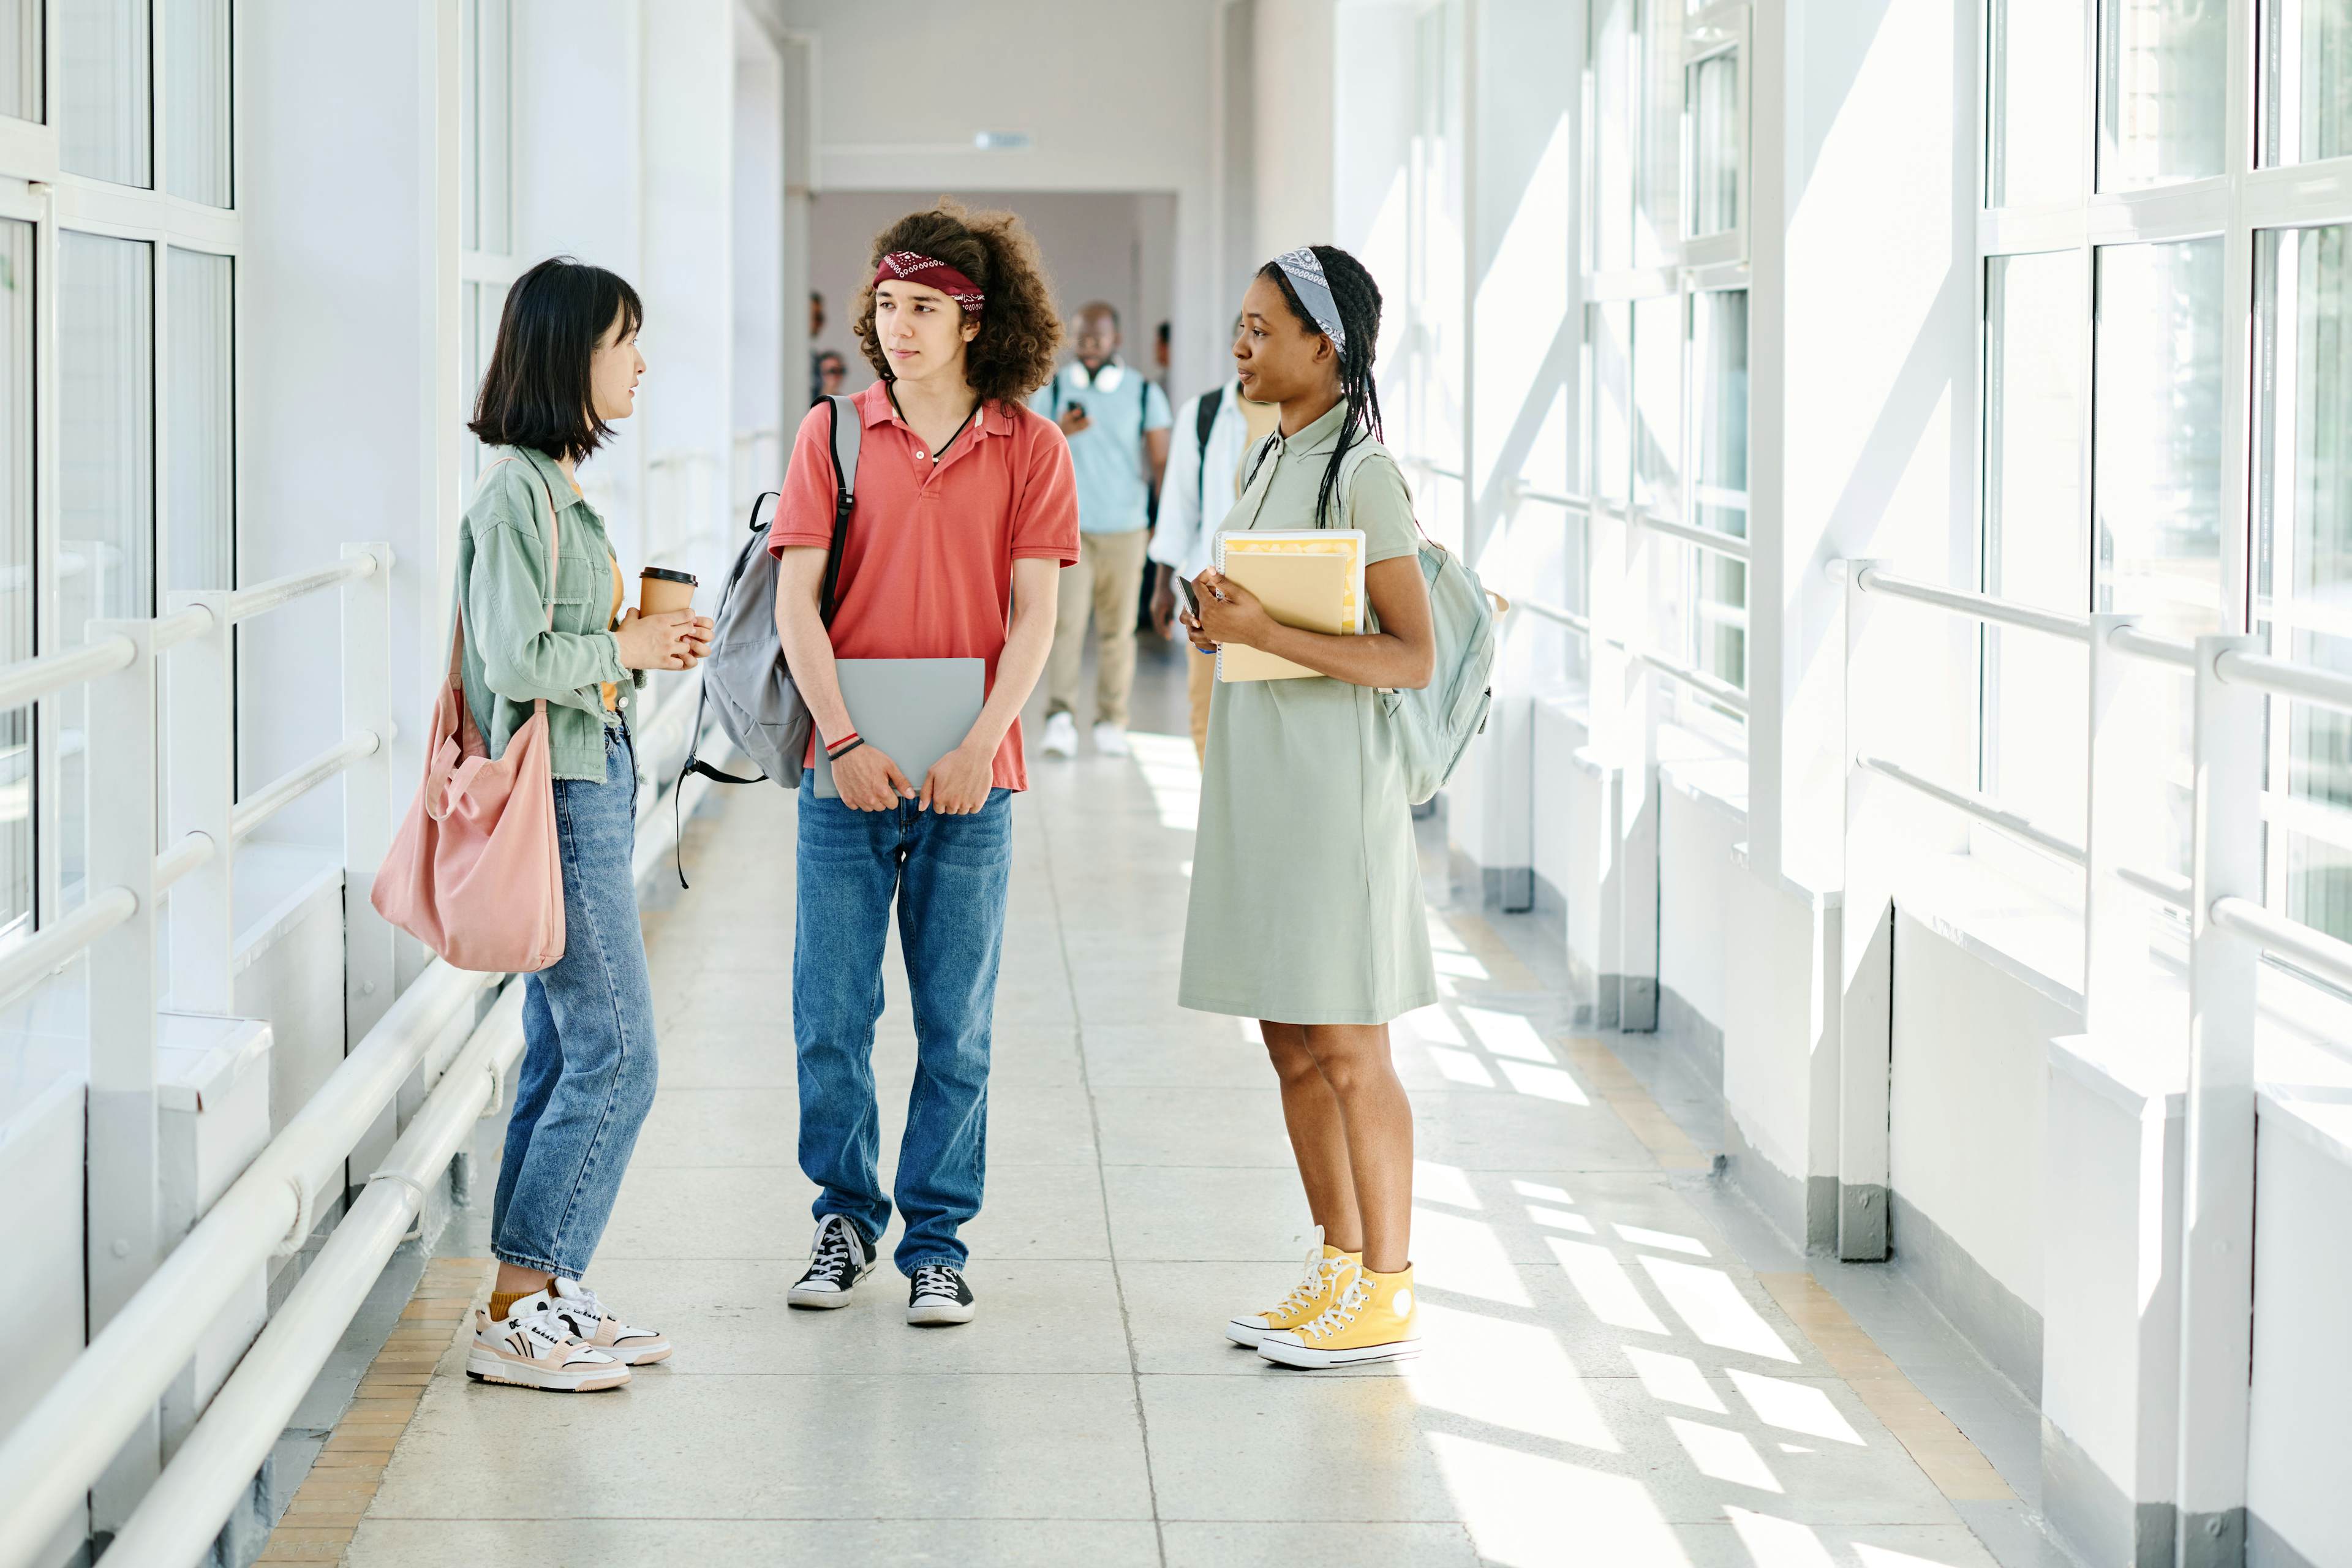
{"points": [[203, 422]]}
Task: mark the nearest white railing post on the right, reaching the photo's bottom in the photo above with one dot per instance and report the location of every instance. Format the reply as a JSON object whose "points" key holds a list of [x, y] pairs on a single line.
{"points": [[2217, 1200]]}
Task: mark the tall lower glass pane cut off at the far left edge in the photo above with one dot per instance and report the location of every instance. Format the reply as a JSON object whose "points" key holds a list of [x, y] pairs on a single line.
{"points": [[15, 570]]}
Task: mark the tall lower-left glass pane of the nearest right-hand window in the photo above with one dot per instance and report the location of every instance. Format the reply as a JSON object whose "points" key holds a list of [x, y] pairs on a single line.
{"points": [[2038, 549]]}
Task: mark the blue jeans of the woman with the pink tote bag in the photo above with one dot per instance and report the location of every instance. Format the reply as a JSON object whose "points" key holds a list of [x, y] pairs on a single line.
{"points": [[589, 1038]]}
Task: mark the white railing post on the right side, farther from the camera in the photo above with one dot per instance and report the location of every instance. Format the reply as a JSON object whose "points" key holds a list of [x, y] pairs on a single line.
{"points": [[1866, 960]]}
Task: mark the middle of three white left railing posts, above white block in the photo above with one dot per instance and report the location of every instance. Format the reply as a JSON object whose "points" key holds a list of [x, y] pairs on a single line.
{"points": [[201, 749]]}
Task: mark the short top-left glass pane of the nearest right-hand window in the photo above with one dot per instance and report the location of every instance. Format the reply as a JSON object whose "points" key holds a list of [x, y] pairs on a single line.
{"points": [[2033, 112]]}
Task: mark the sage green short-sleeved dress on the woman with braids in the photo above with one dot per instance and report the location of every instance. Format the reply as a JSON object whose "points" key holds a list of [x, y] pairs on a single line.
{"points": [[1307, 890]]}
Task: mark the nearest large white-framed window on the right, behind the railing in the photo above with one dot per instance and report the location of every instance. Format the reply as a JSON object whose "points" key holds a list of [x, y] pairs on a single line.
{"points": [[2158, 438]]}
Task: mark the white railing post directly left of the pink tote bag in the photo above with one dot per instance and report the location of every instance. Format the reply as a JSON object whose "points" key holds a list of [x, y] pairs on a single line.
{"points": [[368, 789]]}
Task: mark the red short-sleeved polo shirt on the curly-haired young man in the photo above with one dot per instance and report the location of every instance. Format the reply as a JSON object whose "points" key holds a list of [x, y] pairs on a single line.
{"points": [[928, 568]]}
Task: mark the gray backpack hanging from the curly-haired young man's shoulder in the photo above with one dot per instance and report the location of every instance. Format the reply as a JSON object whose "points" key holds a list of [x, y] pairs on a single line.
{"points": [[744, 678]]}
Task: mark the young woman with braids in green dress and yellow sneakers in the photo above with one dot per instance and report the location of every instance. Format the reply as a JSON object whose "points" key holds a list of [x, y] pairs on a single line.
{"points": [[1307, 892]]}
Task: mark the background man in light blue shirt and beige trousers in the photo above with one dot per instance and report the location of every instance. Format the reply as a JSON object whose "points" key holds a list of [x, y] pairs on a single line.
{"points": [[1118, 431]]}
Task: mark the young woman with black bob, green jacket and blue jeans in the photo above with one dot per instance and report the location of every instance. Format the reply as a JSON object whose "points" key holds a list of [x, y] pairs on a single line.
{"points": [[540, 619]]}
